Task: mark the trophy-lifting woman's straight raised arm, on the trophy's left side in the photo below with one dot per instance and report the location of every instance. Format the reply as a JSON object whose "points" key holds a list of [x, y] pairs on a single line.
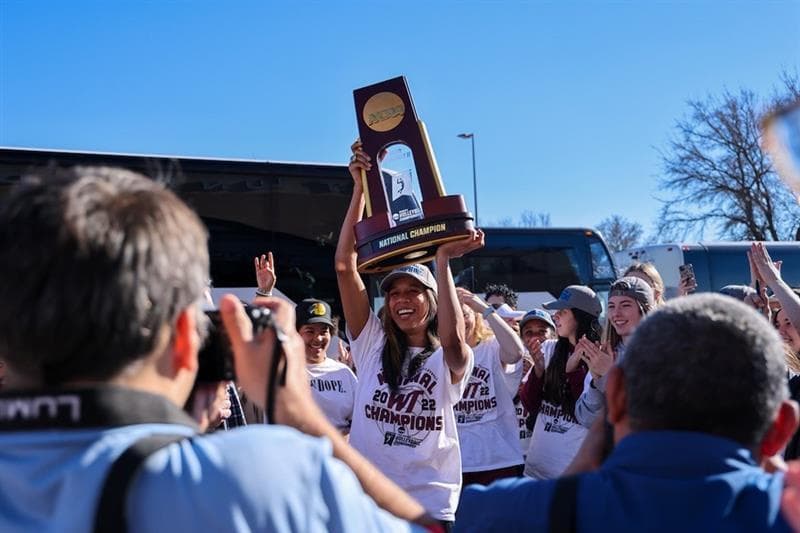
{"points": [[352, 291]]}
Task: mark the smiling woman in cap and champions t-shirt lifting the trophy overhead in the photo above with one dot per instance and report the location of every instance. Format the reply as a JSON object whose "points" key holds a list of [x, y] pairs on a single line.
{"points": [[413, 363]]}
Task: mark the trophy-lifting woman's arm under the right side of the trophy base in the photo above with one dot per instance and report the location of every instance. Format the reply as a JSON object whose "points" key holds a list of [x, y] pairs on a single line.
{"points": [[451, 319]]}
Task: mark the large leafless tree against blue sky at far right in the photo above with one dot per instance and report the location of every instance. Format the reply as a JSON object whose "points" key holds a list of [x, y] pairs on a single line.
{"points": [[717, 176]]}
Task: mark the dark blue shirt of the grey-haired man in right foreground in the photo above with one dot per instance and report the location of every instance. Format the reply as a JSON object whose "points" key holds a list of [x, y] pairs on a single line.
{"points": [[653, 481]]}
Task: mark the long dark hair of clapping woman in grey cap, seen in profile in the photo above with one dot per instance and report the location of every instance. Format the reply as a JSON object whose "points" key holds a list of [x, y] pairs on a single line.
{"points": [[556, 386]]}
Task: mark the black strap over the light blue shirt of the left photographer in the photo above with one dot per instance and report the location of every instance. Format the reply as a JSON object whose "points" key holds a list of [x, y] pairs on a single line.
{"points": [[110, 516]]}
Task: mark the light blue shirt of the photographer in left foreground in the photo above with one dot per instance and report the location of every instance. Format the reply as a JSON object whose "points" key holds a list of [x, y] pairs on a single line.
{"points": [[255, 478]]}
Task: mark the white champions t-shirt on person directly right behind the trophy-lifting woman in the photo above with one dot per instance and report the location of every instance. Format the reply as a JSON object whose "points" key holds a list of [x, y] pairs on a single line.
{"points": [[487, 421]]}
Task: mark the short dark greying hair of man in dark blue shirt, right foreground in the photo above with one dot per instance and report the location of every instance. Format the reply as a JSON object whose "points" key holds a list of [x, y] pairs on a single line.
{"points": [[707, 363]]}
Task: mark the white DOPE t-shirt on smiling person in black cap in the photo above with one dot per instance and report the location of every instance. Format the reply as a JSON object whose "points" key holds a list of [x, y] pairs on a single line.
{"points": [[333, 386]]}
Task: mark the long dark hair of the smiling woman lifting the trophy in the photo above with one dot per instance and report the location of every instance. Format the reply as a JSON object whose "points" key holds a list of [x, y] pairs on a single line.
{"points": [[395, 347]]}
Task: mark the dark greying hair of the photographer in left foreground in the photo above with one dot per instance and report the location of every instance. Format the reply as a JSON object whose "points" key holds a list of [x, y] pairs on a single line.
{"points": [[98, 263]]}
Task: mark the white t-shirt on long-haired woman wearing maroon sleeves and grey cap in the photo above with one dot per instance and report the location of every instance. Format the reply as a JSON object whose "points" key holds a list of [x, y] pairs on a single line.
{"points": [[556, 435]]}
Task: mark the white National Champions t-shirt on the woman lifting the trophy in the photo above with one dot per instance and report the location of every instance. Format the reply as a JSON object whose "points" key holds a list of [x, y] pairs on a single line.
{"points": [[410, 436]]}
